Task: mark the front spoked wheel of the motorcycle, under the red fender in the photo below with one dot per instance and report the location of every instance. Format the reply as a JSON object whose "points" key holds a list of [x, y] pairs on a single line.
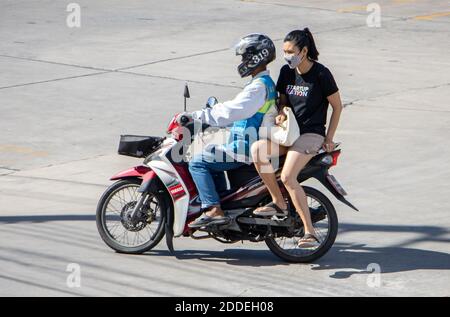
{"points": [[115, 225]]}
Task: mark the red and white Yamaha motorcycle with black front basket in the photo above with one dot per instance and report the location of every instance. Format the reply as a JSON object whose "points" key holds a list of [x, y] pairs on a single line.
{"points": [[159, 198]]}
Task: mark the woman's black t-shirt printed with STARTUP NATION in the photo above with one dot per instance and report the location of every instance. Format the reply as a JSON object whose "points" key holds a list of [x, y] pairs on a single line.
{"points": [[307, 95]]}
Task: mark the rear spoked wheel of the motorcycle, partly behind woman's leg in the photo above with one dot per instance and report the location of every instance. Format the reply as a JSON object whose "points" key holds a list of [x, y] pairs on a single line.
{"points": [[325, 221]]}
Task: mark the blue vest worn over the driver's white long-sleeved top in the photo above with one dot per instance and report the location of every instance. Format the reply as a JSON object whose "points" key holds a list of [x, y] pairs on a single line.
{"points": [[244, 132]]}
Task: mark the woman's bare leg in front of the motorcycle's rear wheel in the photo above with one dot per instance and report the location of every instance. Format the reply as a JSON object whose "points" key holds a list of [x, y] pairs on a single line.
{"points": [[294, 163]]}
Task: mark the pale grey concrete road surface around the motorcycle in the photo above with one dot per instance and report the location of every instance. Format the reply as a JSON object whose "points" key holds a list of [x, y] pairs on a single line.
{"points": [[66, 94]]}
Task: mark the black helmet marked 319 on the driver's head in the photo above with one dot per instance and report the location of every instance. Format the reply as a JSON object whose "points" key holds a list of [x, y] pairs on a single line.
{"points": [[256, 50]]}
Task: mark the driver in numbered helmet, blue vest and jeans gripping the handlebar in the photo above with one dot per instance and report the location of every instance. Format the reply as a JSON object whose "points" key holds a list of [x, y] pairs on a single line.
{"points": [[244, 114]]}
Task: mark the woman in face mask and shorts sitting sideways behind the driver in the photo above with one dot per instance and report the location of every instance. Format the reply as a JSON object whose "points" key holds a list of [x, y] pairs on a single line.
{"points": [[307, 87]]}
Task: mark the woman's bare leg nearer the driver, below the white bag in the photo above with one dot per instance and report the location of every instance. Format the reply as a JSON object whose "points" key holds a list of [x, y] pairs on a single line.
{"points": [[262, 150]]}
